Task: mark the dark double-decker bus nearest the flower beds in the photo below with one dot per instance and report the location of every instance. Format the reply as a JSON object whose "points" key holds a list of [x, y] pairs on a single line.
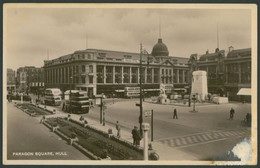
{"points": [[79, 102]]}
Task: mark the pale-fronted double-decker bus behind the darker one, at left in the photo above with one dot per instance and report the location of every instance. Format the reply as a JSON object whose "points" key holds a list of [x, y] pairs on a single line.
{"points": [[52, 96]]}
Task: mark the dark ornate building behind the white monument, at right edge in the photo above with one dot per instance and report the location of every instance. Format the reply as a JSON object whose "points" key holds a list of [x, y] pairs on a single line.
{"points": [[226, 73]]}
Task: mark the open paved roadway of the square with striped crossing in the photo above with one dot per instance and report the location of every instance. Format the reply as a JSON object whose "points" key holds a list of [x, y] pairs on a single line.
{"points": [[205, 134]]}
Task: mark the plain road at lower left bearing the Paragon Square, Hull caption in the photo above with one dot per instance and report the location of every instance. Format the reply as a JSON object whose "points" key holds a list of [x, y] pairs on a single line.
{"points": [[28, 139]]}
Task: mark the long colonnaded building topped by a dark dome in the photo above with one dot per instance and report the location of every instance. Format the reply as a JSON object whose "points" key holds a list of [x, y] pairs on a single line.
{"points": [[103, 71]]}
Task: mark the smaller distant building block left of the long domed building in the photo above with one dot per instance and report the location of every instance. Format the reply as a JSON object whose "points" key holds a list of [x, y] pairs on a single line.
{"points": [[30, 79]]}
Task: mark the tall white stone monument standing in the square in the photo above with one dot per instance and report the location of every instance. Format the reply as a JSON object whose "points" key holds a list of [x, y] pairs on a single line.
{"points": [[199, 84]]}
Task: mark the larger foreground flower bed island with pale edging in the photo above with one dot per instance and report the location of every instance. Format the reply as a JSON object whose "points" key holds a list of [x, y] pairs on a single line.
{"points": [[93, 142]]}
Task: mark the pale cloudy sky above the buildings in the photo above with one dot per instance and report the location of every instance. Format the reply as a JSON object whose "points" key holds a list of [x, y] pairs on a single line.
{"points": [[32, 32]]}
